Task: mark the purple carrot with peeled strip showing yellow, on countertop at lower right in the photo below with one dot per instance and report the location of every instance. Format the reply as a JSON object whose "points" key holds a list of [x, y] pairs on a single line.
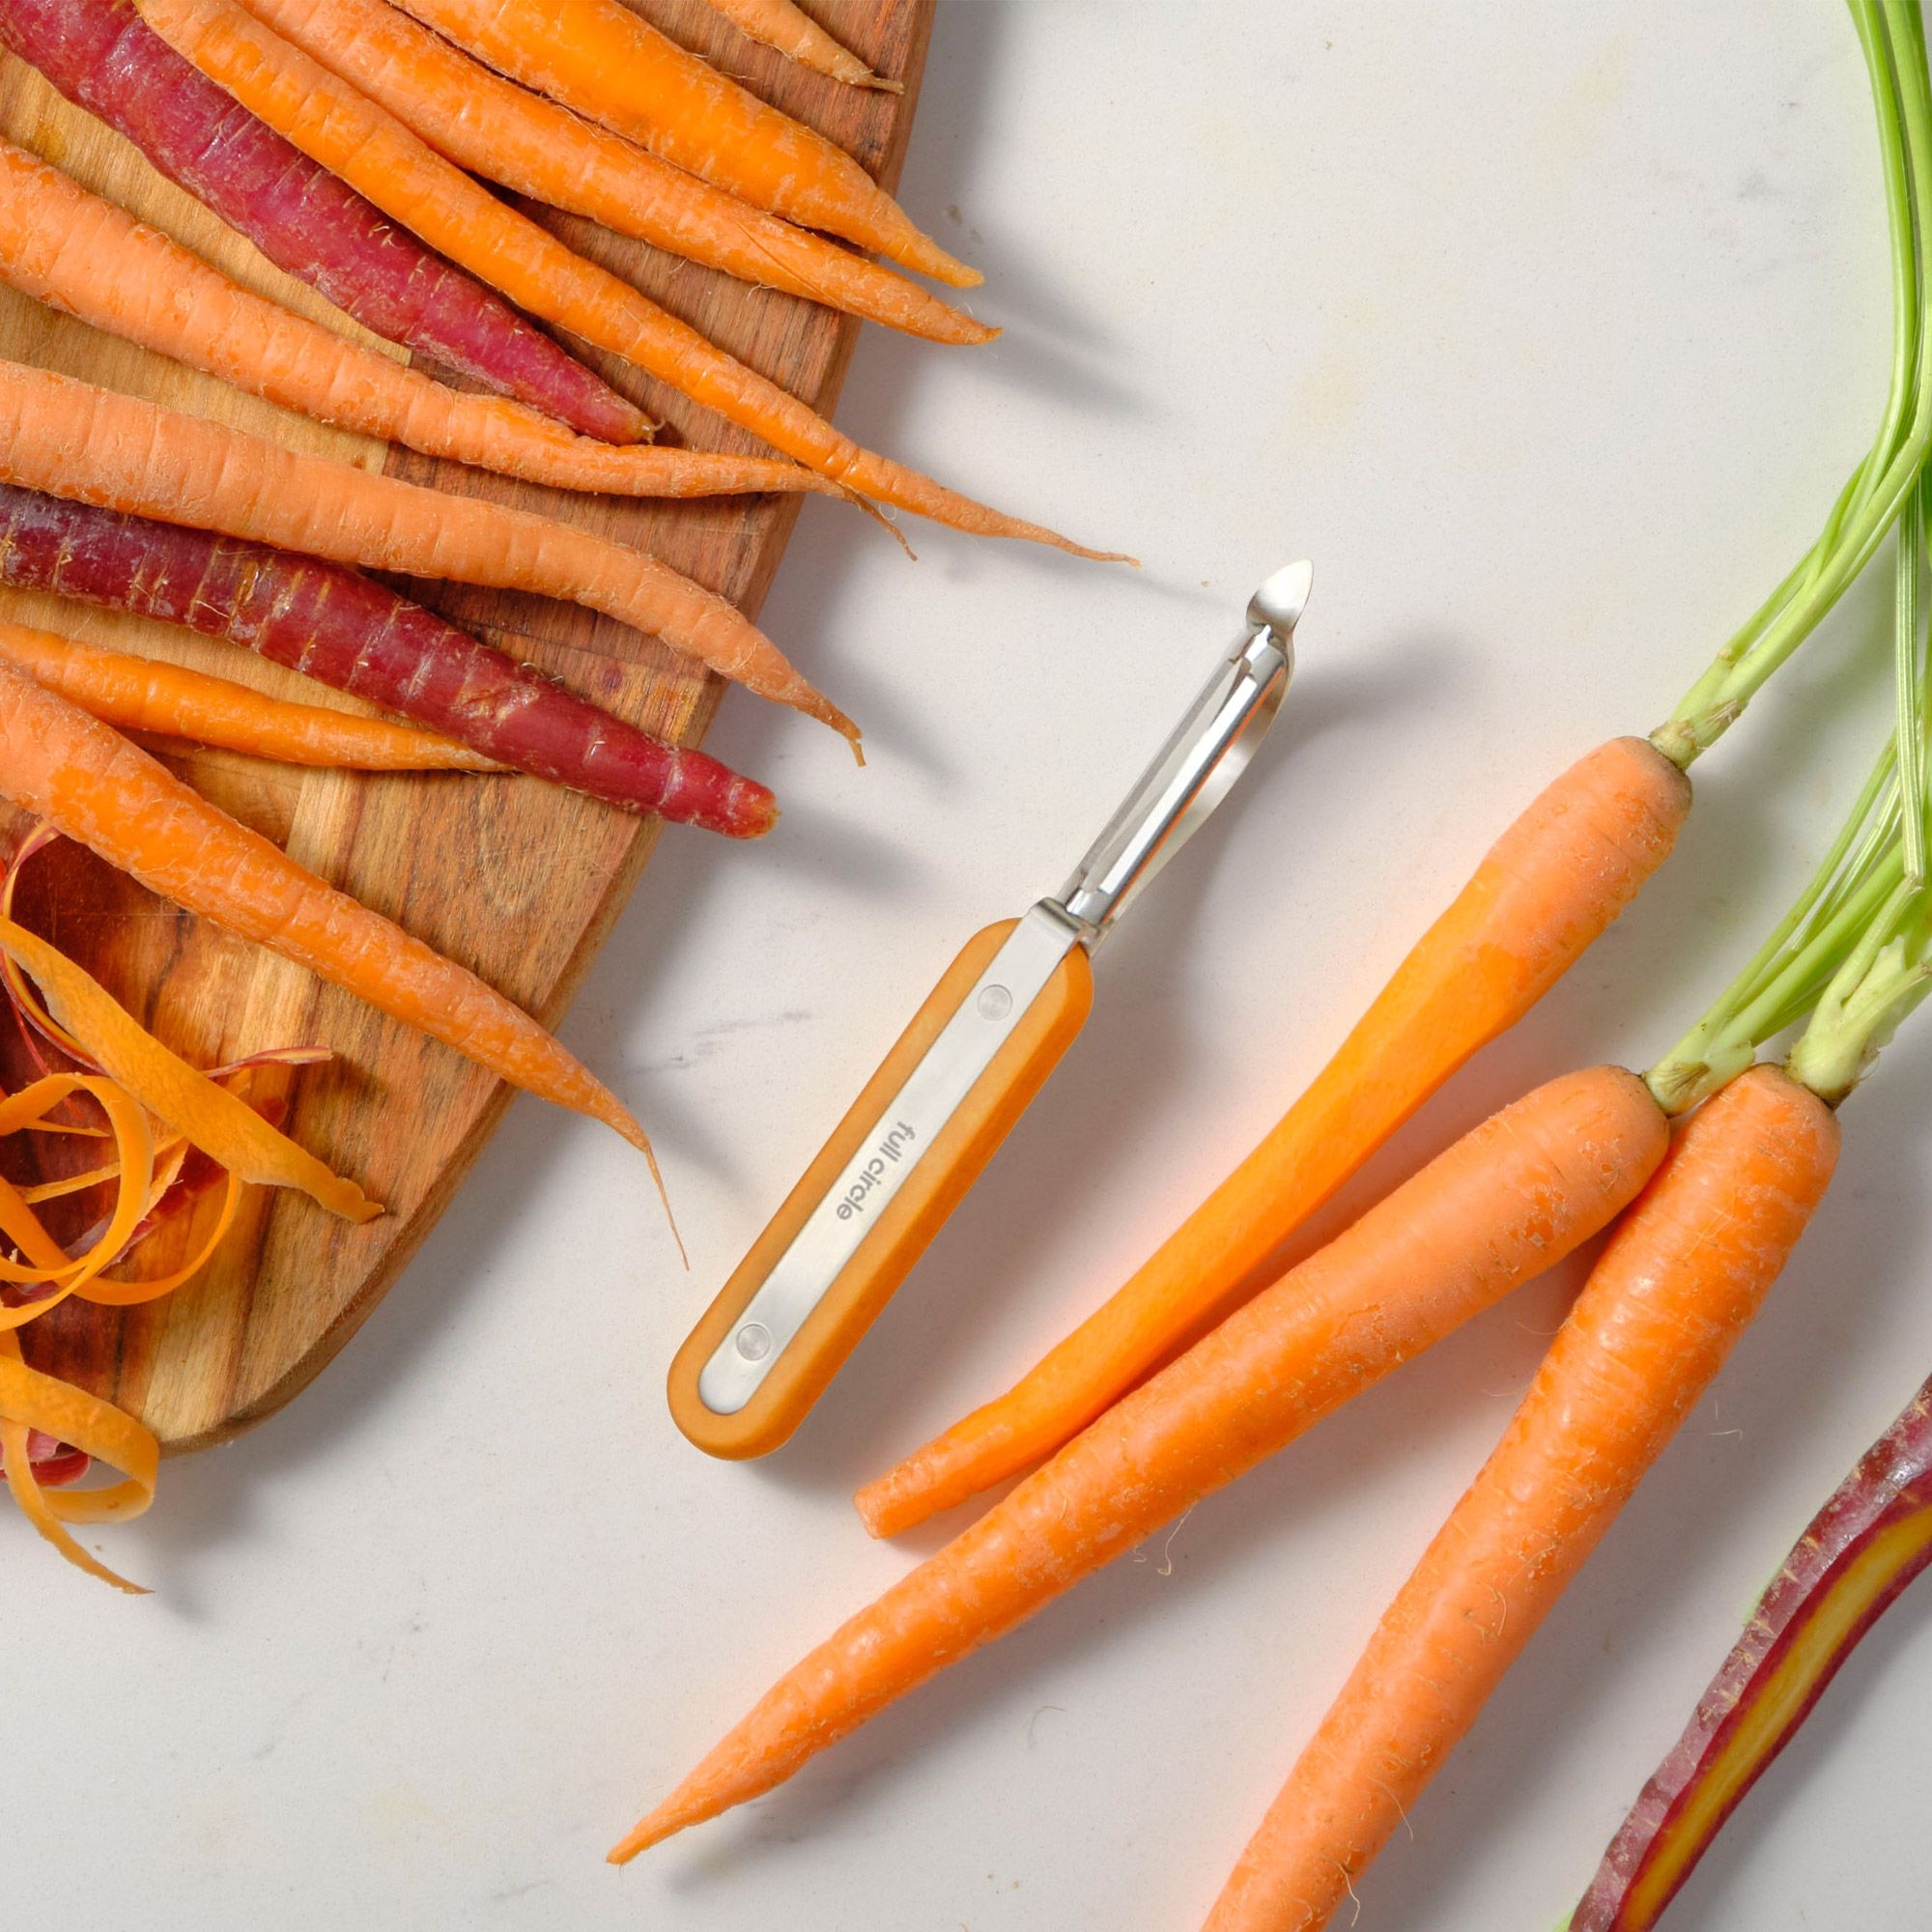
{"points": [[1842, 1576]]}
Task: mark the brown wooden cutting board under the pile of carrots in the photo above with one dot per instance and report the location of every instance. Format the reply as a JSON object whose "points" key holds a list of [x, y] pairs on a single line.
{"points": [[511, 876]]}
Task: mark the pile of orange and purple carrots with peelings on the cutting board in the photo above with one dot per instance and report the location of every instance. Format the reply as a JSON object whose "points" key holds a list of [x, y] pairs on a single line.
{"points": [[362, 148]]}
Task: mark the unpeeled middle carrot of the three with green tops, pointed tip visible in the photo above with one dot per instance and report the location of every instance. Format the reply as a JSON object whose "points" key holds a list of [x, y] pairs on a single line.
{"points": [[1500, 1207]]}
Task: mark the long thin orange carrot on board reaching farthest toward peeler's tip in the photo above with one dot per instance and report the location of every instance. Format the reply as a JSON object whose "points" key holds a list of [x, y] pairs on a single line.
{"points": [[378, 156]]}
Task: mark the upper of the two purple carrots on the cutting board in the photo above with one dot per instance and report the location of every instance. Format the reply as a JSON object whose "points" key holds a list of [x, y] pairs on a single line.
{"points": [[103, 57]]}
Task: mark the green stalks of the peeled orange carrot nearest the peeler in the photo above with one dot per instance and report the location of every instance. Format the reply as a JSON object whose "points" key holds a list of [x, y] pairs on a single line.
{"points": [[1892, 36]]}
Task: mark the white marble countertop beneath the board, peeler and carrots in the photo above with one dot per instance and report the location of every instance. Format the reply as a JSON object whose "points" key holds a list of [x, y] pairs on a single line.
{"points": [[1548, 333]]}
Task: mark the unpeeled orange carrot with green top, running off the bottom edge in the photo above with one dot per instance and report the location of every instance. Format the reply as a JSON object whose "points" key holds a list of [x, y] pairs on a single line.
{"points": [[1672, 1293]]}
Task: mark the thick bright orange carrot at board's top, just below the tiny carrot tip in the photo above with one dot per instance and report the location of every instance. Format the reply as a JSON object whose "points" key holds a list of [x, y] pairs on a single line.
{"points": [[606, 63]]}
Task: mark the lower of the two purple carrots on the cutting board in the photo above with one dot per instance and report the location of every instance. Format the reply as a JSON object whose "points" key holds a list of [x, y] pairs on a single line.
{"points": [[347, 631]]}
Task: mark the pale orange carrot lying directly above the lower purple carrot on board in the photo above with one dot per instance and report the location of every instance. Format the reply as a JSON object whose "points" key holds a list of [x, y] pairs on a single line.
{"points": [[119, 453]]}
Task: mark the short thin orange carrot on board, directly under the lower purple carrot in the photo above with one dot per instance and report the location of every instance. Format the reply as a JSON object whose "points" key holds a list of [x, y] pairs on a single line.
{"points": [[173, 702]]}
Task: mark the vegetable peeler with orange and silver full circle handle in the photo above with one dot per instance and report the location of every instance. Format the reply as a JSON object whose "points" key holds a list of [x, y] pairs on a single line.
{"points": [[961, 1075]]}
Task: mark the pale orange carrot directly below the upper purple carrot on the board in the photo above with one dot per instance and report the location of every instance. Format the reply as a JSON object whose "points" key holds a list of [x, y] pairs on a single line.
{"points": [[92, 260]]}
